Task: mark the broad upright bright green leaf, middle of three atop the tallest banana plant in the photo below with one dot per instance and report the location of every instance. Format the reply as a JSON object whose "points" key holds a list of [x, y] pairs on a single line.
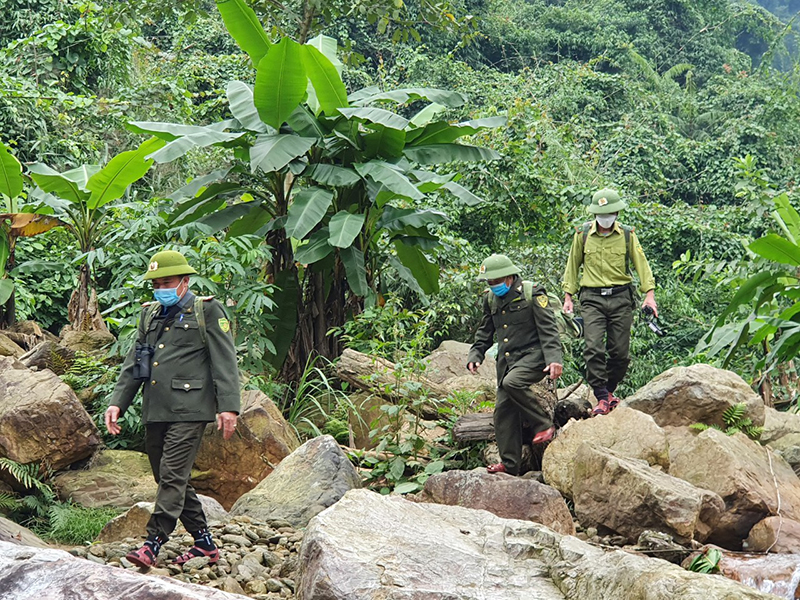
{"points": [[280, 82]]}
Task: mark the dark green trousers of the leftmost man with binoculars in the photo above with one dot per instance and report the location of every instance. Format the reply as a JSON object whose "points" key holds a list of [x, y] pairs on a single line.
{"points": [[171, 448]]}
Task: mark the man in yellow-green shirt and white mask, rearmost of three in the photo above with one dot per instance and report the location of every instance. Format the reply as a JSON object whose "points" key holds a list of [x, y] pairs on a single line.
{"points": [[605, 248]]}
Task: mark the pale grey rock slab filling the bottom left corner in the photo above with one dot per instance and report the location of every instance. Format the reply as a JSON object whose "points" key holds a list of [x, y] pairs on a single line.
{"points": [[27, 573]]}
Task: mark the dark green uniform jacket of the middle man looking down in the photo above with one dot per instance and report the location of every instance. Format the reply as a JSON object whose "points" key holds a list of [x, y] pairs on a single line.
{"points": [[521, 328]]}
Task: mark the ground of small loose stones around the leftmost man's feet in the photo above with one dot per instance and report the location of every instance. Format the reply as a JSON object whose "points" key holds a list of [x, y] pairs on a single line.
{"points": [[258, 559]]}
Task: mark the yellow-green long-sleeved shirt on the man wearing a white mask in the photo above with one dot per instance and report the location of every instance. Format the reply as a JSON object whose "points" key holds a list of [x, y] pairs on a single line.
{"points": [[603, 261]]}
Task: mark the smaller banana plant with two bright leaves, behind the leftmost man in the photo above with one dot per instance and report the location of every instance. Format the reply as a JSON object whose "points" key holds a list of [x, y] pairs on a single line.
{"points": [[80, 198]]}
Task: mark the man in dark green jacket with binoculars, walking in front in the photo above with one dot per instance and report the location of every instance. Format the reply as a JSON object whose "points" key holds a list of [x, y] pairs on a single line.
{"points": [[185, 358]]}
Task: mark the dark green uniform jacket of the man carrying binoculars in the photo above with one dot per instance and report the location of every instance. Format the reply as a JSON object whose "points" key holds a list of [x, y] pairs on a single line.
{"points": [[190, 381]]}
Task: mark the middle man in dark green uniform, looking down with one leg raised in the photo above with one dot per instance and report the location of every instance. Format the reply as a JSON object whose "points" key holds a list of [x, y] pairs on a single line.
{"points": [[528, 347]]}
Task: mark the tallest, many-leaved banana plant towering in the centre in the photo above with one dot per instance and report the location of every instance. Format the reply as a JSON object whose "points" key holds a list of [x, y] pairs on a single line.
{"points": [[336, 182]]}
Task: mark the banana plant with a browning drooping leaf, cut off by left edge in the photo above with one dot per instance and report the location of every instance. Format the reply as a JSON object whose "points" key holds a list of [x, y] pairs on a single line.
{"points": [[13, 225]]}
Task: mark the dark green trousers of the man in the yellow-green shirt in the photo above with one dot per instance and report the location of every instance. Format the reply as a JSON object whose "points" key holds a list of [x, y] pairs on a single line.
{"points": [[607, 324]]}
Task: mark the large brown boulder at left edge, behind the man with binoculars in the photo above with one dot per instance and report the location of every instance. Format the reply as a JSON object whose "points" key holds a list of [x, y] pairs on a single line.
{"points": [[41, 418]]}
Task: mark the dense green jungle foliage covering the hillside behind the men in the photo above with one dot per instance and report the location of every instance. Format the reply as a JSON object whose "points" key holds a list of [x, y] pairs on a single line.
{"points": [[689, 108]]}
